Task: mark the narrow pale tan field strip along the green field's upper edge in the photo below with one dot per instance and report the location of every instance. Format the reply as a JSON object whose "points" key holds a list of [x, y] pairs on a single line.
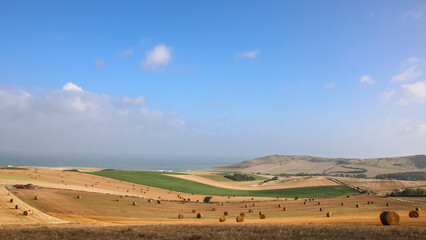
{"points": [[304, 183]]}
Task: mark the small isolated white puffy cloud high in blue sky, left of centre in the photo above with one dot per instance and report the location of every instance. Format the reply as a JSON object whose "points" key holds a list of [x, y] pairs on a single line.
{"points": [[159, 56]]}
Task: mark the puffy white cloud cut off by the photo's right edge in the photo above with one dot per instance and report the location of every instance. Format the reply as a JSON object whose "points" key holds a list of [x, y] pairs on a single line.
{"points": [[413, 93]]}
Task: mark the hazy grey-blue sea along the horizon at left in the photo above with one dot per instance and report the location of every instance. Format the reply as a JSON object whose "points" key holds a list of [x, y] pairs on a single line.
{"points": [[116, 161]]}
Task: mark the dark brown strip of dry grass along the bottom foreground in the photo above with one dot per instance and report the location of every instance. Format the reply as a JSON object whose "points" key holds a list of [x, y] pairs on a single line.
{"points": [[211, 231]]}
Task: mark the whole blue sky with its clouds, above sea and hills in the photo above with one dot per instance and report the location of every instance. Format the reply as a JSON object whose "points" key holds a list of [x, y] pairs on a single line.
{"points": [[226, 78]]}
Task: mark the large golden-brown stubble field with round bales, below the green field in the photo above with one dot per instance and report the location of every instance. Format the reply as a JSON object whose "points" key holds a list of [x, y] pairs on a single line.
{"points": [[97, 208]]}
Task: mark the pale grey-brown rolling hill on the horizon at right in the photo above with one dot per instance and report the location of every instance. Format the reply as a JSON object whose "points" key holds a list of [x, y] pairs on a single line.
{"points": [[295, 164]]}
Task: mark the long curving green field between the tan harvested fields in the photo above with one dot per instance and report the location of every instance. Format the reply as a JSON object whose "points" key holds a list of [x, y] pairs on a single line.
{"points": [[161, 180]]}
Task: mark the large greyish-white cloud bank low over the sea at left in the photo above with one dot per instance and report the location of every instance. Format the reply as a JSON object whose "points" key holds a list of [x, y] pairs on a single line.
{"points": [[72, 120]]}
